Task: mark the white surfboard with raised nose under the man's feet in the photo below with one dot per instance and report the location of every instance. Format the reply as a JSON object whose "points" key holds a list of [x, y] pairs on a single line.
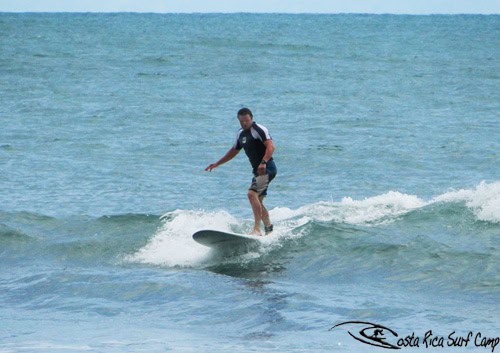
{"points": [[223, 240]]}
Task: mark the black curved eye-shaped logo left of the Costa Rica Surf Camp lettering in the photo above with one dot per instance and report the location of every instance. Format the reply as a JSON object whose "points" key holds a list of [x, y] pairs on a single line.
{"points": [[370, 333]]}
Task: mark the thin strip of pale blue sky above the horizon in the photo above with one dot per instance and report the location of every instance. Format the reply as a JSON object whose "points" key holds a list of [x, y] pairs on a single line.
{"points": [[258, 6]]}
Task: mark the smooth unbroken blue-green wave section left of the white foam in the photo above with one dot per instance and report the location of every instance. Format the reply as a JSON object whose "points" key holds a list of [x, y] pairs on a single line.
{"points": [[80, 238]]}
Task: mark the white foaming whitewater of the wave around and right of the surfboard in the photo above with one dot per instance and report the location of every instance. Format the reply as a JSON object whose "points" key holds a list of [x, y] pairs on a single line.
{"points": [[172, 244]]}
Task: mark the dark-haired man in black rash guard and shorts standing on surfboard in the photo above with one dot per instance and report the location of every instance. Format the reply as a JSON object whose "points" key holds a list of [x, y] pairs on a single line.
{"points": [[258, 145]]}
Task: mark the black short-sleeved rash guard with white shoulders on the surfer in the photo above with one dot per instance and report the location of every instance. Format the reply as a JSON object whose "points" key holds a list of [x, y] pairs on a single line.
{"points": [[252, 141]]}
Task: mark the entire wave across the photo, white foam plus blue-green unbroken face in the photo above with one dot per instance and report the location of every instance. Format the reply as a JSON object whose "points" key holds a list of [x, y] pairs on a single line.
{"points": [[457, 224]]}
